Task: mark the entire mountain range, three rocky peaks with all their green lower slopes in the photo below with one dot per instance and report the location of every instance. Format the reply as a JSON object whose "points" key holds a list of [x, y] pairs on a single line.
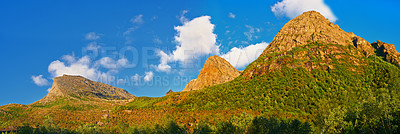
{"points": [[313, 71]]}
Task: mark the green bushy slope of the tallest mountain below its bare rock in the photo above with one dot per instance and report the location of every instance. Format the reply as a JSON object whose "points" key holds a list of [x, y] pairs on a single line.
{"points": [[350, 83]]}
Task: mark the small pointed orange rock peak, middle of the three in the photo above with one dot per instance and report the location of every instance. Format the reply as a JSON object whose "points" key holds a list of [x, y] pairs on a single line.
{"points": [[216, 70]]}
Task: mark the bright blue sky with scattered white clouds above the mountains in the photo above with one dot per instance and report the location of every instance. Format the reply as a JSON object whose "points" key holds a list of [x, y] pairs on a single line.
{"points": [[136, 45]]}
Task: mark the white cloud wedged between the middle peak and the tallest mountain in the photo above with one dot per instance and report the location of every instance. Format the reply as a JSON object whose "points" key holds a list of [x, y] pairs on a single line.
{"points": [[241, 57]]}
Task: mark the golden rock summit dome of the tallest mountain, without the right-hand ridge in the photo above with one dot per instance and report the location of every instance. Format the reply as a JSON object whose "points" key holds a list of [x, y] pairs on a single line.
{"points": [[308, 27]]}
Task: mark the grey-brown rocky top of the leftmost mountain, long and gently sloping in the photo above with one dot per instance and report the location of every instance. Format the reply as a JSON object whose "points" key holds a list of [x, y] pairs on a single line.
{"points": [[80, 87]]}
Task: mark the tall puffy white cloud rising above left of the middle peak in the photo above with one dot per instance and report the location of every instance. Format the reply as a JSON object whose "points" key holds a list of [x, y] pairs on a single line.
{"points": [[195, 38]]}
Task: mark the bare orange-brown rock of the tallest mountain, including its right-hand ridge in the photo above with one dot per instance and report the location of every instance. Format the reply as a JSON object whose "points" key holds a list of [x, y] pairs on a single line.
{"points": [[312, 27]]}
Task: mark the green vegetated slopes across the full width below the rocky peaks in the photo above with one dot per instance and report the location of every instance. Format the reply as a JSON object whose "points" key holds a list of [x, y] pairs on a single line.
{"points": [[316, 87]]}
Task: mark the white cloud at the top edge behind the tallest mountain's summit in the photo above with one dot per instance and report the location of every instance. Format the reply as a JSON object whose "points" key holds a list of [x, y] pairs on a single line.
{"points": [[293, 8]]}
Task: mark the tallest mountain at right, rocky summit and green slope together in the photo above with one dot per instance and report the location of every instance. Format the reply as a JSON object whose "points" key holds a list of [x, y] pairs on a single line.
{"points": [[310, 71]]}
